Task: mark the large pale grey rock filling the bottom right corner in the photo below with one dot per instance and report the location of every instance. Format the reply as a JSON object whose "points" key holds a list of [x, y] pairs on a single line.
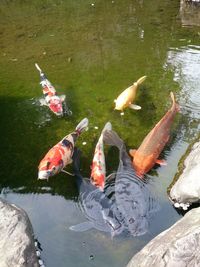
{"points": [[178, 246]]}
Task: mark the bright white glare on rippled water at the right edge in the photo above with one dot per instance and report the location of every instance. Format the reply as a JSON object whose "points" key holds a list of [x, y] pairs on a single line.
{"points": [[184, 62]]}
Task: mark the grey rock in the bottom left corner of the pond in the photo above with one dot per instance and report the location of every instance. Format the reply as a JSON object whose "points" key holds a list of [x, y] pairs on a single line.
{"points": [[17, 247]]}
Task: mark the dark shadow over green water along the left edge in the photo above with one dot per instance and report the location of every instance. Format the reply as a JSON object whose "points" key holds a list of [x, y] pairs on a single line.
{"points": [[23, 142]]}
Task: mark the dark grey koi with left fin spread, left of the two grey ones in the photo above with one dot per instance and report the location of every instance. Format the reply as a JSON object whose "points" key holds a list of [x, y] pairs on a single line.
{"points": [[98, 209]]}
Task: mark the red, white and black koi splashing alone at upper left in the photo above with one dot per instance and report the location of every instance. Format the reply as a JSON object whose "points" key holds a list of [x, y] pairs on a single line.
{"points": [[52, 100]]}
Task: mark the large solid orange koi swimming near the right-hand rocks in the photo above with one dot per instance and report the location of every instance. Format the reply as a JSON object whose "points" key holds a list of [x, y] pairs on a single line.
{"points": [[146, 156]]}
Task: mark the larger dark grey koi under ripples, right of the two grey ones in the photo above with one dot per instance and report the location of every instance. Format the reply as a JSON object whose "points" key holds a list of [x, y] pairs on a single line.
{"points": [[133, 197]]}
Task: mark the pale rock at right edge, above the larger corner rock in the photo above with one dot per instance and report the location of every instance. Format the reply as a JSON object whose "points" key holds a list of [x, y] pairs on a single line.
{"points": [[186, 190]]}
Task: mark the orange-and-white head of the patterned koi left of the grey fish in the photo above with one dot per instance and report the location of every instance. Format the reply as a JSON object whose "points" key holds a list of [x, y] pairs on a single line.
{"points": [[49, 167]]}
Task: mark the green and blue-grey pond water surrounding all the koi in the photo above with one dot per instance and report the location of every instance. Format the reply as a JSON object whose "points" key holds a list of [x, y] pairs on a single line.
{"points": [[91, 51]]}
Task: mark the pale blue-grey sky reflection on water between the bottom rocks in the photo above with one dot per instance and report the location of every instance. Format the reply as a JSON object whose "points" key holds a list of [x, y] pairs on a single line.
{"points": [[63, 247]]}
